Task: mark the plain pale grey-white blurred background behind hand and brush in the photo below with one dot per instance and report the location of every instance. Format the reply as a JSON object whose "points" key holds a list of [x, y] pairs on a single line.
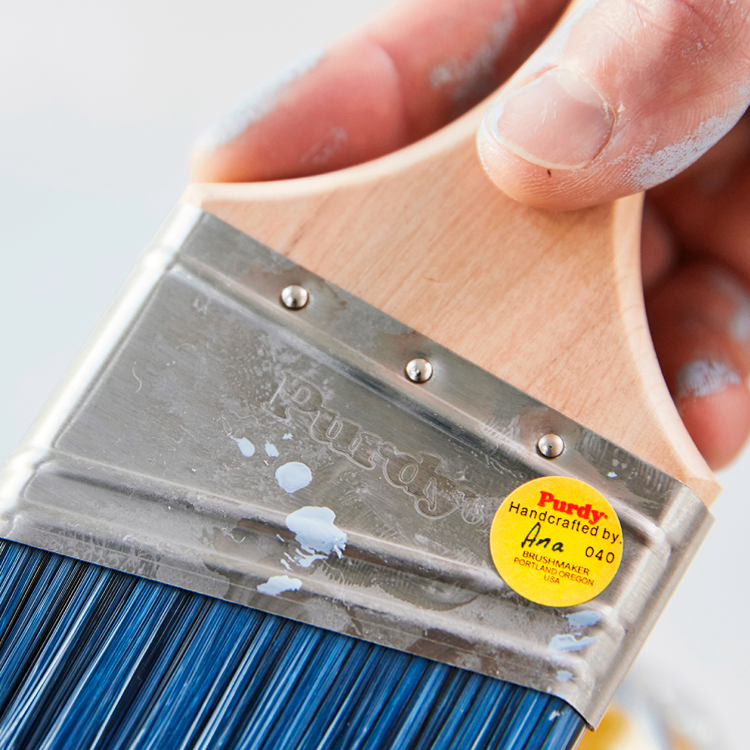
{"points": [[99, 104]]}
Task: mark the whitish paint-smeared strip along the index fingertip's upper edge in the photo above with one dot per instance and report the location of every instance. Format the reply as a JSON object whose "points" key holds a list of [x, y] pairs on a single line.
{"points": [[256, 105]]}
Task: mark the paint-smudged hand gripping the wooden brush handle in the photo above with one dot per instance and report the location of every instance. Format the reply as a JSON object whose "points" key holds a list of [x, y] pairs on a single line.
{"points": [[623, 97]]}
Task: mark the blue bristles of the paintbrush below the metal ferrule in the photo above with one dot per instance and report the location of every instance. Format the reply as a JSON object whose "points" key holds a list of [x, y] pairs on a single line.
{"points": [[93, 658]]}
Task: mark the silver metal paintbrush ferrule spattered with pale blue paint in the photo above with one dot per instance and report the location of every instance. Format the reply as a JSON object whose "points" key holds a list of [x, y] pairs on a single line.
{"points": [[203, 416]]}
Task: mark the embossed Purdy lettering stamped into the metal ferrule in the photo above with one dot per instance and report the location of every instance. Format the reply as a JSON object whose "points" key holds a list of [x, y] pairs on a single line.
{"points": [[436, 495]]}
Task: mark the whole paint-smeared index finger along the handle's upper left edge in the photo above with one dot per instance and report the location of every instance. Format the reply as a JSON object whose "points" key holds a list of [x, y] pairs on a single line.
{"points": [[404, 75]]}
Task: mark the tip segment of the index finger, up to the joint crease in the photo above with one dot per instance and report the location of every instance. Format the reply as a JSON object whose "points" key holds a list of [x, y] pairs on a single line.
{"points": [[344, 109]]}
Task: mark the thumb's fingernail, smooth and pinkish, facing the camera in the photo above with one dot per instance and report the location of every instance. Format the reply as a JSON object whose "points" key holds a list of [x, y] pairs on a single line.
{"points": [[558, 121]]}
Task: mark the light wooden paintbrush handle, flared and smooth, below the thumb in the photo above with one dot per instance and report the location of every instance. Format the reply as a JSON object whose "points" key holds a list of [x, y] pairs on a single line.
{"points": [[550, 302]]}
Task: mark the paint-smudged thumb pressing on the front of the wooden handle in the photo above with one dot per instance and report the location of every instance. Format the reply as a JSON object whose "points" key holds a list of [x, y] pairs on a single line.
{"points": [[624, 95]]}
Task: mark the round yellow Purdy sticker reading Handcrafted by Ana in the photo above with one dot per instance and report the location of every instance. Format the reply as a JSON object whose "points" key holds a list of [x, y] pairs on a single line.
{"points": [[556, 541]]}
